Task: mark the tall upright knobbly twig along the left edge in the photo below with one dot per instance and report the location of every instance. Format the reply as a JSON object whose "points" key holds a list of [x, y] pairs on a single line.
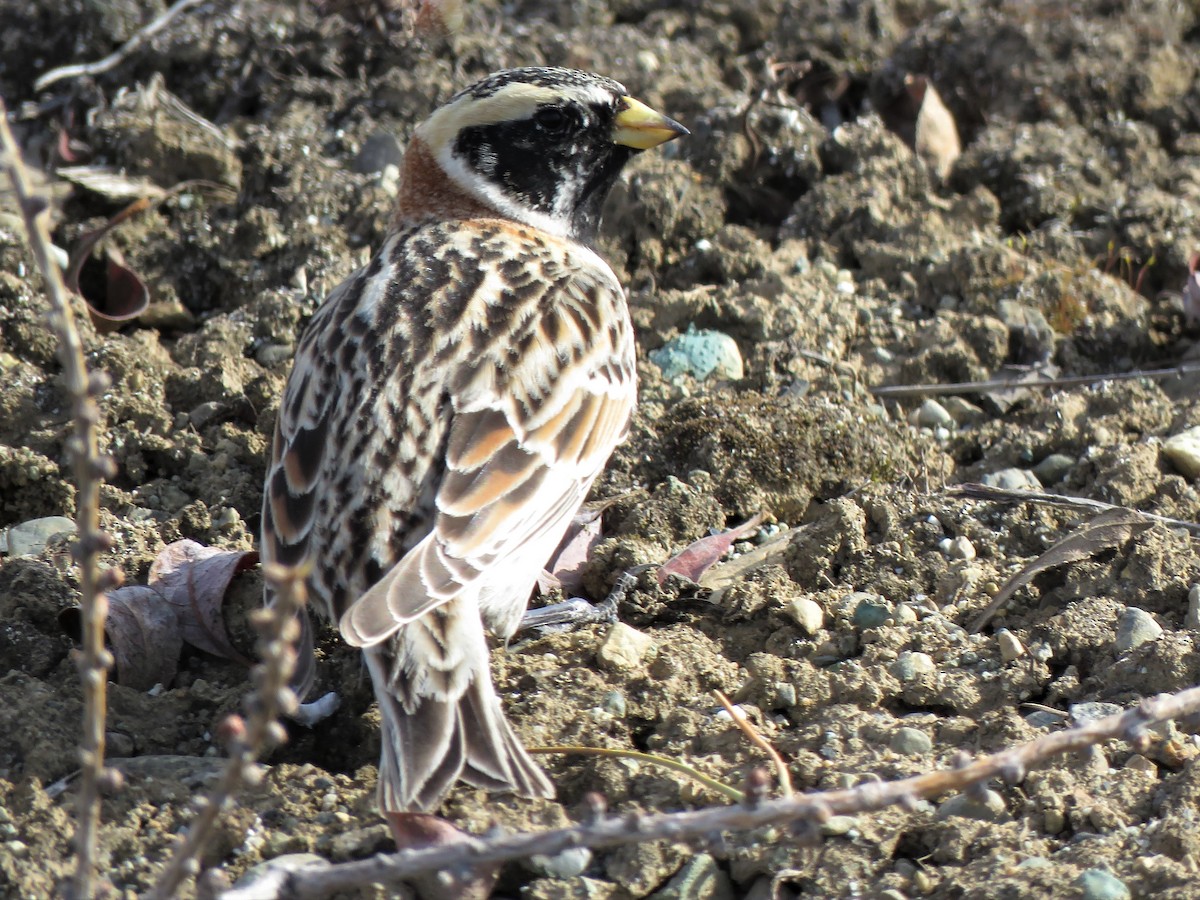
{"points": [[91, 469]]}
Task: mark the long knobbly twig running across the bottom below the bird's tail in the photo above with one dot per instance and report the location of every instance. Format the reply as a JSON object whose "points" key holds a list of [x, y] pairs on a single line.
{"points": [[311, 883]]}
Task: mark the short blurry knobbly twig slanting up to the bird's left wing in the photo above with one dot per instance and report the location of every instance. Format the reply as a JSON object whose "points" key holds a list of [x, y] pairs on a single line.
{"points": [[249, 740]]}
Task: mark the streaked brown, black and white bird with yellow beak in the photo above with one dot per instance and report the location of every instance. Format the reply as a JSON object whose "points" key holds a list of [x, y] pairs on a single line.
{"points": [[449, 407]]}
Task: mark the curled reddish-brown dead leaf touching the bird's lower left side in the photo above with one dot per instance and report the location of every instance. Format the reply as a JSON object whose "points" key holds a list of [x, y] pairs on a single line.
{"points": [[194, 580]]}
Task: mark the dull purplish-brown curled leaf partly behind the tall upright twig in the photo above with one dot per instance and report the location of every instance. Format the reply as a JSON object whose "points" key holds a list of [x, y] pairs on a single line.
{"points": [[142, 633]]}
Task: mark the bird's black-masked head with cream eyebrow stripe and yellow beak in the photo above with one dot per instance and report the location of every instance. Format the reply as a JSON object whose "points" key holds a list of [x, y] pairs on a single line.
{"points": [[543, 146]]}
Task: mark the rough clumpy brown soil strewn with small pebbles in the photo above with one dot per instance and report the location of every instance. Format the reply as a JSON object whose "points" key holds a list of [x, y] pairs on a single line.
{"points": [[797, 221]]}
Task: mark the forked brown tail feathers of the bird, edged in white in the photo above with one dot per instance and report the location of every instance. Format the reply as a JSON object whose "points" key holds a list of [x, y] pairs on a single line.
{"points": [[431, 742]]}
